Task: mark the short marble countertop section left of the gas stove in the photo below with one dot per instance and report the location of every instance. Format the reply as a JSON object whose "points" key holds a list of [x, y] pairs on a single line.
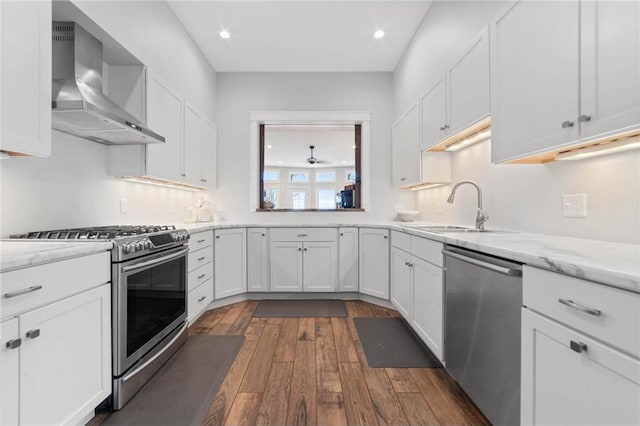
{"points": [[18, 254]]}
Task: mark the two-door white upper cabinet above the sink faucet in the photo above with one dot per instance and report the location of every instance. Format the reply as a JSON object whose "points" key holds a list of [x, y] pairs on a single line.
{"points": [[459, 99]]}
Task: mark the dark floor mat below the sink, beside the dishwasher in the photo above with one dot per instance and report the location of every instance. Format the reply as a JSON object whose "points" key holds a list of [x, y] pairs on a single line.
{"points": [[388, 343]]}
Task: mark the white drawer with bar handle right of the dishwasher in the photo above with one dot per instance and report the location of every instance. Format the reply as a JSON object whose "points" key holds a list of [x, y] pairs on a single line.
{"points": [[617, 322]]}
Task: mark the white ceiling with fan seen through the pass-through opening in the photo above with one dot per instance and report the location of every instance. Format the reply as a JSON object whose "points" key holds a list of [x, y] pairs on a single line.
{"points": [[290, 146]]}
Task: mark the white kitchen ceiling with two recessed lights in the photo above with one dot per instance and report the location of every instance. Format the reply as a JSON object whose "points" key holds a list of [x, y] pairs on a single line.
{"points": [[301, 35]]}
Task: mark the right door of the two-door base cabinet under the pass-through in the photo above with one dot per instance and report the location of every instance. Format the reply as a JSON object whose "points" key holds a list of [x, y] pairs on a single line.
{"points": [[319, 266]]}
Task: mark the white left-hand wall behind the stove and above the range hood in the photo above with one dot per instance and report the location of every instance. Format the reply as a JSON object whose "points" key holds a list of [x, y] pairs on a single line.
{"points": [[71, 188]]}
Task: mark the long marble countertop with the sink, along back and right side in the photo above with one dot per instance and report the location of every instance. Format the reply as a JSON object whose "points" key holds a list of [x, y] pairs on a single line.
{"points": [[610, 263]]}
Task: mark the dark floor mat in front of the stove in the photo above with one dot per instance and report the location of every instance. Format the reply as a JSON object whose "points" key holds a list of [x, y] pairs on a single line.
{"points": [[182, 391]]}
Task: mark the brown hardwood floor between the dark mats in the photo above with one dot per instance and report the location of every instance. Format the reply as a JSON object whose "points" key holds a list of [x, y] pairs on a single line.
{"points": [[312, 371]]}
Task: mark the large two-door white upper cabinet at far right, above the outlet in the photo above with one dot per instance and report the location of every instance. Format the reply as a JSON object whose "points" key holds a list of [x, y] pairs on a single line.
{"points": [[563, 72]]}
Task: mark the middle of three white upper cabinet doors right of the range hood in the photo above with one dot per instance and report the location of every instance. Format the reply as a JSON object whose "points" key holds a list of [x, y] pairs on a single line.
{"points": [[193, 145]]}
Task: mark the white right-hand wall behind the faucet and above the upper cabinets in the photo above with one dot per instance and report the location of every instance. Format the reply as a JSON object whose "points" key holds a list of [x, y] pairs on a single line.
{"points": [[517, 197]]}
